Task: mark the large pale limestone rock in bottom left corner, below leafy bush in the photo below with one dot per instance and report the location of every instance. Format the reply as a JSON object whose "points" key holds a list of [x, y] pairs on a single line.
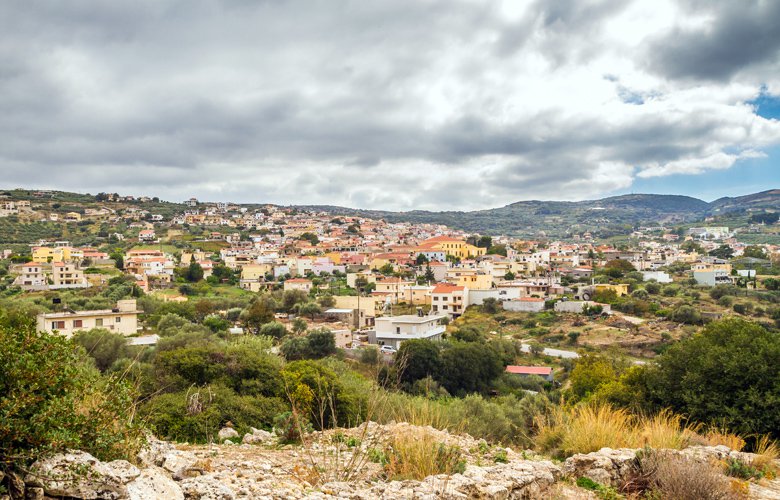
{"points": [[80, 475]]}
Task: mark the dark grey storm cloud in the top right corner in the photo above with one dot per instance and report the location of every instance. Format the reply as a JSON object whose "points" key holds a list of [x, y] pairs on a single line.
{"points": [[739, 35]]}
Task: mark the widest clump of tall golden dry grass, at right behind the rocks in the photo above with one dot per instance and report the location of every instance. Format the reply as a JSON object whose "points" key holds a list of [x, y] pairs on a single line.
{"points": [[588, 428]]}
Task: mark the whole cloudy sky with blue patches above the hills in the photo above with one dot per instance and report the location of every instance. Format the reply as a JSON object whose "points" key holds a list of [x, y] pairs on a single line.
{"points": [[397, 104]]}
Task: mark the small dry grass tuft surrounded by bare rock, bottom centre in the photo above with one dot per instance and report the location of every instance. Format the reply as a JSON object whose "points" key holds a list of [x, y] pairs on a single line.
{"points": [[416, 454]]}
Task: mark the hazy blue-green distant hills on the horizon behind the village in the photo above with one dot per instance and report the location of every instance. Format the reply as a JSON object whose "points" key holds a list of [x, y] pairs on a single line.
{"points": [[605, 217]]}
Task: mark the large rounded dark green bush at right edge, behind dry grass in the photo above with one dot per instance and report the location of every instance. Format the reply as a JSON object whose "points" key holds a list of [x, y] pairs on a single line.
{"points": [[725, 376]]}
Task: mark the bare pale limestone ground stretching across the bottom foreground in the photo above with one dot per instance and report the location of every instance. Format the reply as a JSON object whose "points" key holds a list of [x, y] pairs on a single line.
{"points": [[335, 464]]}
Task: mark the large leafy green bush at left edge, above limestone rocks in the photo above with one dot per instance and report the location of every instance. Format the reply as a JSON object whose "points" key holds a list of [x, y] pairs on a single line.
{"points": [[52, 400]]}
